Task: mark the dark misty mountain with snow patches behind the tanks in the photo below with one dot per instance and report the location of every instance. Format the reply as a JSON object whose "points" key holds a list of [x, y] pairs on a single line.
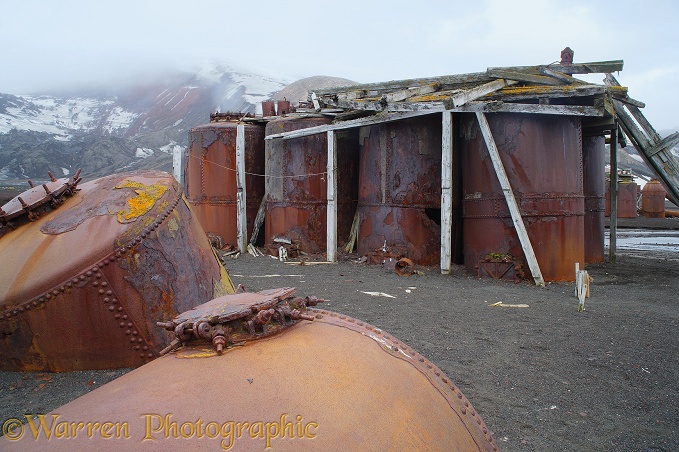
{"points": [[136, 127]]}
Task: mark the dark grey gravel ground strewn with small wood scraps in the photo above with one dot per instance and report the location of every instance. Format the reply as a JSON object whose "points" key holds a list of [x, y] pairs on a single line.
{"points": [[543, 377]]}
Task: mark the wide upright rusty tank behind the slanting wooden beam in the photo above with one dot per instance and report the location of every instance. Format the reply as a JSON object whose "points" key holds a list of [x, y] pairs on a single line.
{"points": [[542, 156]]}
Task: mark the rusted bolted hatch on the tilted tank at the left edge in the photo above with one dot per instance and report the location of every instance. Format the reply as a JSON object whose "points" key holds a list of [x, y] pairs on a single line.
{"points": [[31, 203]]}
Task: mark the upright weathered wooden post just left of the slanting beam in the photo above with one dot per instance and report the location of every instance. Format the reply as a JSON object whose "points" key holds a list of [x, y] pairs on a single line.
{"points": [[446, 192]]}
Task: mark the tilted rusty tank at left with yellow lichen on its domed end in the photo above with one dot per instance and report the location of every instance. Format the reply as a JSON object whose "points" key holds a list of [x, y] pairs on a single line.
{"points": [[83, 285]]}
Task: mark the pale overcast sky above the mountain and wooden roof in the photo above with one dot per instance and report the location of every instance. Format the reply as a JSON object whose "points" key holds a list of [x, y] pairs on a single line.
{"points": [[48, 44]]}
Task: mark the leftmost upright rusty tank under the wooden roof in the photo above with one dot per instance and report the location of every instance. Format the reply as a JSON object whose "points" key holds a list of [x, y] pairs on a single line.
{"points": [[211, 181]]}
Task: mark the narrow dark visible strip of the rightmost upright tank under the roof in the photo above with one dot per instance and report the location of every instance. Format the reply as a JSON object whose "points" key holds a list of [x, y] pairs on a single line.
{"points": [[593, 163]]}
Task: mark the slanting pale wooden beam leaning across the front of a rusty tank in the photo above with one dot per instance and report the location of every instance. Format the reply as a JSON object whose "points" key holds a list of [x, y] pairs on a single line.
{"points": [[511, 200]]}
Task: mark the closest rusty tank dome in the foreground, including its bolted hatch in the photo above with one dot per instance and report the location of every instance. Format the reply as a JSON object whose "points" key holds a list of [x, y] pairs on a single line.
{"points": [[316, 380]]}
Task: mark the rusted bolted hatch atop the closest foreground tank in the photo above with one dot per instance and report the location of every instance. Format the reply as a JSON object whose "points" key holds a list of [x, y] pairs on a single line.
{"points": [[234, 319]]}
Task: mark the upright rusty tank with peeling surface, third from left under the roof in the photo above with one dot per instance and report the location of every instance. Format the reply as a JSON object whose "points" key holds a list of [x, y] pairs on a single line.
{"points": [[400, 188]]}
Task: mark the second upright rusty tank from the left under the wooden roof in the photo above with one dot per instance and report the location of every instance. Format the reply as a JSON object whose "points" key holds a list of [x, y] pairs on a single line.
{"points": [[296, 206]]}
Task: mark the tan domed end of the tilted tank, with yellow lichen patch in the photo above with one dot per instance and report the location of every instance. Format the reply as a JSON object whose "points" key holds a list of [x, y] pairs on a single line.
{"points": [[104, 215]]}
